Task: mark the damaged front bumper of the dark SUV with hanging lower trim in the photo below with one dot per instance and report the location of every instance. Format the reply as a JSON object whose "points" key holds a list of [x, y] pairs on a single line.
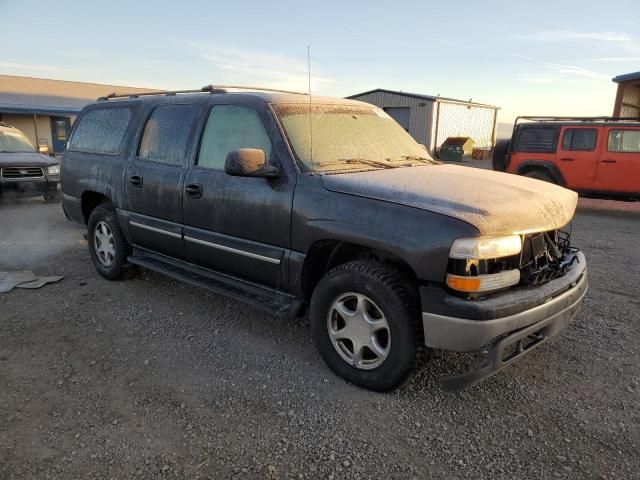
{"points": [[522, 318]]}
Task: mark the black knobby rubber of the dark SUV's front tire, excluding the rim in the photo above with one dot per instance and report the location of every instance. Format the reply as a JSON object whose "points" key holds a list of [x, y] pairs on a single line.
{"points": [[399, 304]]}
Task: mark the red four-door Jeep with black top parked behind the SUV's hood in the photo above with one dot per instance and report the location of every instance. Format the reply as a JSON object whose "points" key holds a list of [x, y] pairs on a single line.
{"points": [[593, 156]]}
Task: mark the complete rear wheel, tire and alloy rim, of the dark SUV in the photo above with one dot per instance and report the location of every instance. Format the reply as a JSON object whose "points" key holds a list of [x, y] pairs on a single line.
{"points": [[107, 246]]}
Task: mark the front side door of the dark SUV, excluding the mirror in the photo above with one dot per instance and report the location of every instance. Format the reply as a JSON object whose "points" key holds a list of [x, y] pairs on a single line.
{"points": [[237, 225]]}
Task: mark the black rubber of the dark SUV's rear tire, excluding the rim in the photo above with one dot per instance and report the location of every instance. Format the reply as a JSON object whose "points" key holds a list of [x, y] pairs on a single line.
{"points": [[107, 214]]}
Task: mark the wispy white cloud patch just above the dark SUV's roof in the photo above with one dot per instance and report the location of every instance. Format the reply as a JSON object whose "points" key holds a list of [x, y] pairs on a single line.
{"points": [[263, 69]]}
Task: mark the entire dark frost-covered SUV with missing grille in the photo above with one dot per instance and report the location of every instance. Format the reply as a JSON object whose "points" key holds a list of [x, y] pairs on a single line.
{"points": [[293, 203]]}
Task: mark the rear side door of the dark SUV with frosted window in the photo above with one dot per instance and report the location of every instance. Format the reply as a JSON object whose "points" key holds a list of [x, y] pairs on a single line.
{"points": [[154, 178]]}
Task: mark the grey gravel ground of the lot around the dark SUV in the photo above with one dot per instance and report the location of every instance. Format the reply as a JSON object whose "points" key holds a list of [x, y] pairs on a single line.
{"points": [[150, 378]]}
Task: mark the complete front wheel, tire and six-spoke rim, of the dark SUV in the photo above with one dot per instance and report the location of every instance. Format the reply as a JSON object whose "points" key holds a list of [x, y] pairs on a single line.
{"points": [[365, 325]]}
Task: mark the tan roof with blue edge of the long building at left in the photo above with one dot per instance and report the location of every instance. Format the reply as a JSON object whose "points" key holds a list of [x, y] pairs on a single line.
{"points": [[52, 97]]}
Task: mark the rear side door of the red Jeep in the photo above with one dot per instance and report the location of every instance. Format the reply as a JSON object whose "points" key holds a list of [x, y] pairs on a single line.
{"points": [[577, 156]]}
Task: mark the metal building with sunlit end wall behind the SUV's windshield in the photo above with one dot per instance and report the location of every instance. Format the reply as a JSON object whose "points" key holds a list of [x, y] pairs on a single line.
{"points": [[431, 120]]}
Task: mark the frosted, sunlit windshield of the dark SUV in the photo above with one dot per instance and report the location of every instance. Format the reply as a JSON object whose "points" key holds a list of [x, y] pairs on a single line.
{"points": [[347, 137]]}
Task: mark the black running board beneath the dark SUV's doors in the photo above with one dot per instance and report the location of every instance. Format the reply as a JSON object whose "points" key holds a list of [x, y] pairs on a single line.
{"points": [[273, 301]]}
